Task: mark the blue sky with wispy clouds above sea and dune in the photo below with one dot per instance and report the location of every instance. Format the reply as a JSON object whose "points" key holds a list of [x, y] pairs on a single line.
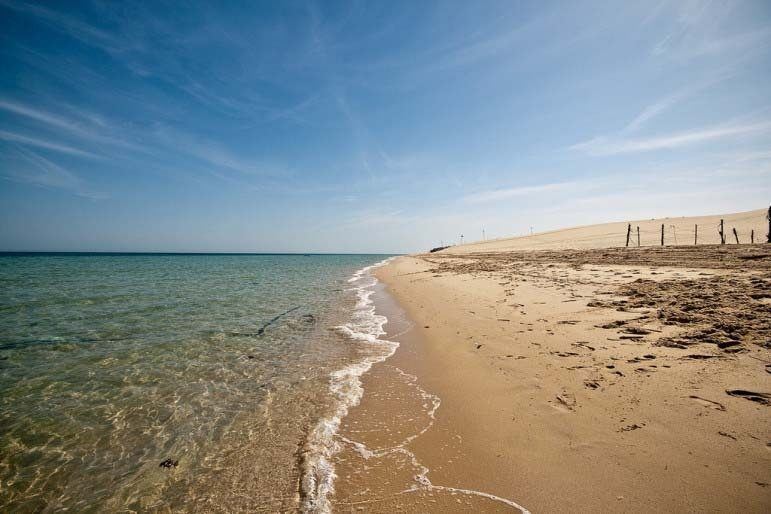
{"points": [[373, 126]]}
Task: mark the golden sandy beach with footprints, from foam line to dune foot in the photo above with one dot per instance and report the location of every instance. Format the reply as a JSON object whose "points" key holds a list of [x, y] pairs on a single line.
{"points": [[616, 380]]}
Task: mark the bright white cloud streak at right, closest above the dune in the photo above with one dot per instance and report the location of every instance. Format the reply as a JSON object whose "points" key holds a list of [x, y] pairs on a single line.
{"points": [[600, 146]]}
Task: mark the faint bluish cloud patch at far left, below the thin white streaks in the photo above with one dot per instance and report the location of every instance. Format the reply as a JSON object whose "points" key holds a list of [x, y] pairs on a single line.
{"points": [[47, 174]]}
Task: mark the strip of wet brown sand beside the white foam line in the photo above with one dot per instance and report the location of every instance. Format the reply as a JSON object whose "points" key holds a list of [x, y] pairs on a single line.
{"points": [[388, 443]]}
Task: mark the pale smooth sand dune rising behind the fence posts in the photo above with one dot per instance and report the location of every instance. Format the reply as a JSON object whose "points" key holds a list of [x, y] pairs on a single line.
{"points": [[677, 231]]}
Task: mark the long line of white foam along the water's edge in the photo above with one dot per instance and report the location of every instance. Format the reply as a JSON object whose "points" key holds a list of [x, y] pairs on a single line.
{"points": [[345, 385]]}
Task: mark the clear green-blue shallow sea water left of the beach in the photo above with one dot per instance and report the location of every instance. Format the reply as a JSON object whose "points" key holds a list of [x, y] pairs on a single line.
{"points": [[110, 364]]}
